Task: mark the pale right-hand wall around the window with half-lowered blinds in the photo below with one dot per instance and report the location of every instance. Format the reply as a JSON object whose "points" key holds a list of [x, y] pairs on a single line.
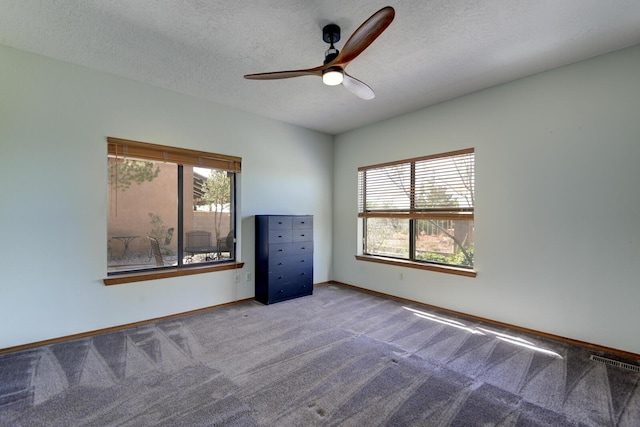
{"points": [[558, 201]]}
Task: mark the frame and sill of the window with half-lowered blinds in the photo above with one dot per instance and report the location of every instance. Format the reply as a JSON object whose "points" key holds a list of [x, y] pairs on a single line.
{"points": [[412, 213]]}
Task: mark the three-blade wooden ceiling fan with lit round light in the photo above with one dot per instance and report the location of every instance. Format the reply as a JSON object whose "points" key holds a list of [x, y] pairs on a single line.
{"points": [[332, 71]]}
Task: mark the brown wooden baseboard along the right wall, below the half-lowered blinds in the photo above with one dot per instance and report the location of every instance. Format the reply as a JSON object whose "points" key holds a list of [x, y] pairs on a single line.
{"points": [[608, 350]]}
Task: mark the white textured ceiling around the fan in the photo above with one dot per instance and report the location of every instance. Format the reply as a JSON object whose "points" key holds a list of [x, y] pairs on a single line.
{"points": [[433, 51]]}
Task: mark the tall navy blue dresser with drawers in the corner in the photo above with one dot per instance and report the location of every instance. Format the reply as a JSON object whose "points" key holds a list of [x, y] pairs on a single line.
{"points": [[284, 257]]}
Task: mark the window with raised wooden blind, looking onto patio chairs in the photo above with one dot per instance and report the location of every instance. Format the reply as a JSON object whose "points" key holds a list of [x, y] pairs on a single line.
{"points": [[169, 208]]}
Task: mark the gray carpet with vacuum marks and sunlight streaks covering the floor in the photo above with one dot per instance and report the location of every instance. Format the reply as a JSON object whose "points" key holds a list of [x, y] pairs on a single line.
{"points": [[339, 357]]}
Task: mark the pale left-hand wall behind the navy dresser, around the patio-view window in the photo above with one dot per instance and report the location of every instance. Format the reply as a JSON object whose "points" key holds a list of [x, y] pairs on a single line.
{"points": [[54, 120]]}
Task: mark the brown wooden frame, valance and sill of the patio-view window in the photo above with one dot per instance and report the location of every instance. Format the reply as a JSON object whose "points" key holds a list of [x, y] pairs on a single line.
{"points": [[182, 157]]}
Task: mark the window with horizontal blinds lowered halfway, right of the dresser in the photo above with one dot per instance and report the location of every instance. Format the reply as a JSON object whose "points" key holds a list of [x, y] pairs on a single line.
{"points": [[419, 210]]}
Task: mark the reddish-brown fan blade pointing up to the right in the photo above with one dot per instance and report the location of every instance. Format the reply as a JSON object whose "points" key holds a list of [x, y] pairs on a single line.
{"points": [[365, 35]]}
